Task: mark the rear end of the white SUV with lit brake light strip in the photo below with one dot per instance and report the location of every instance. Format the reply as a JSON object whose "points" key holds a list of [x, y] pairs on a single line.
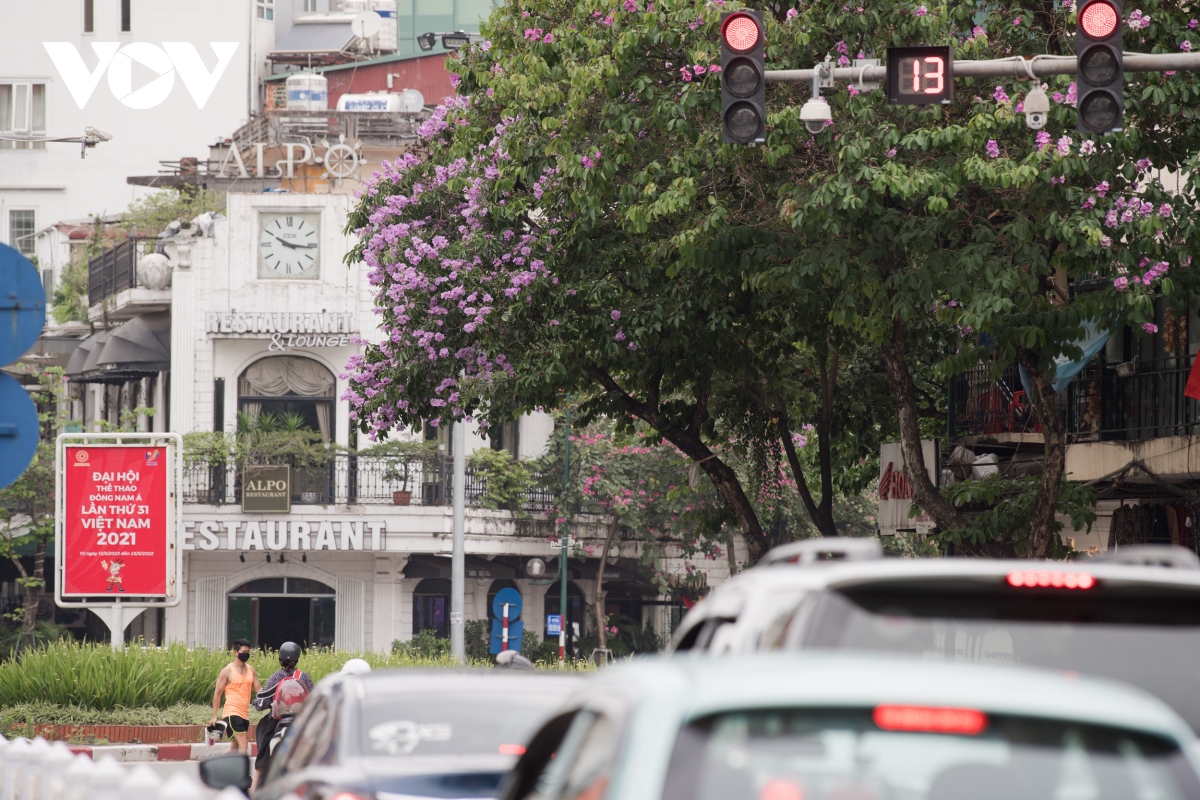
{"points": [[1125, 618]]}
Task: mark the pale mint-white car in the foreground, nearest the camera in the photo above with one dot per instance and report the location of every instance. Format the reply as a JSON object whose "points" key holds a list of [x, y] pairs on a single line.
{"points": [[788, 727]]}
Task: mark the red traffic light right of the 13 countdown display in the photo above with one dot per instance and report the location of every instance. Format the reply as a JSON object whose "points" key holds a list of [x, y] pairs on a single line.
{"points": [[1100, 85]]}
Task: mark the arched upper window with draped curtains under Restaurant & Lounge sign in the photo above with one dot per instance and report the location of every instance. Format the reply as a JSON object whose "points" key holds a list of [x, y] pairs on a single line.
{"points": [[292, 388]]}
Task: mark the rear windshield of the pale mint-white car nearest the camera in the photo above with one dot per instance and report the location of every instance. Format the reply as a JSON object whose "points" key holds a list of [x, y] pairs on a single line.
{"points": [[857, 755]]}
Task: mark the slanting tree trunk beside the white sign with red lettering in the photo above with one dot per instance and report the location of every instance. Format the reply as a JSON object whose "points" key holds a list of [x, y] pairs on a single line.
{"points": [[904, 390]]}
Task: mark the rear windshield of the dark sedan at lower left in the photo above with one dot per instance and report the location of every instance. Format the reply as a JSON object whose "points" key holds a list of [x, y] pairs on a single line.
{"points": [[460, 725]]}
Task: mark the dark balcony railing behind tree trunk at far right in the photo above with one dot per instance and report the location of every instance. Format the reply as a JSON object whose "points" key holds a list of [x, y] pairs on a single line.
{"points": [[1144, 401]]}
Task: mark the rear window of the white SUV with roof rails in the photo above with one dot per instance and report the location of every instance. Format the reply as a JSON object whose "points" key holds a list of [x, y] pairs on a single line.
{"points": [[1133, 634]]}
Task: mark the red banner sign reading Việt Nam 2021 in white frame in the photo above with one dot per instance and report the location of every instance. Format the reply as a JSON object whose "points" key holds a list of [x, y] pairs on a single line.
{"points": [[117, 501]]}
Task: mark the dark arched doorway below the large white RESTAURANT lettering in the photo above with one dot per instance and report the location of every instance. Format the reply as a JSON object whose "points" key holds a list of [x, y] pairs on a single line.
{"points": [[269, 612]]}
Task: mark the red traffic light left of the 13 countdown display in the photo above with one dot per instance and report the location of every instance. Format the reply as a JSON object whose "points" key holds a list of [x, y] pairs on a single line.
{"points": [[743, 79]]}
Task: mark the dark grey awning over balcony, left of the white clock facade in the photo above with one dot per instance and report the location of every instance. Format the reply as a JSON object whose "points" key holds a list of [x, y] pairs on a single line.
{"points": [[136, 350]]}
